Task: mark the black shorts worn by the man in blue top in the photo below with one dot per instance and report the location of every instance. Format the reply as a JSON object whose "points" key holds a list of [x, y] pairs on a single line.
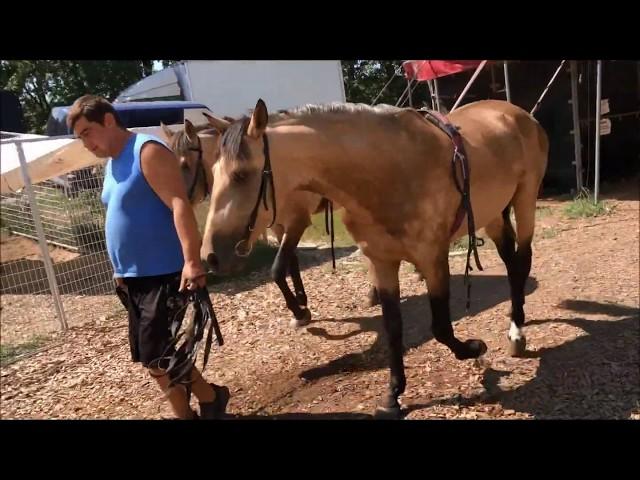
{"points": [[152, 303]]}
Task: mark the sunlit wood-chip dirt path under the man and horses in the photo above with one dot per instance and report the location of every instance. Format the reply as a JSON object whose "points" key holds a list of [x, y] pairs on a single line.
{"points": [[583, 332]]}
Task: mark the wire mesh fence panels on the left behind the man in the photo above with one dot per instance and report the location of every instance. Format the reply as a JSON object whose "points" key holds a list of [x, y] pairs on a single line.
{"points": [[72, 217]]}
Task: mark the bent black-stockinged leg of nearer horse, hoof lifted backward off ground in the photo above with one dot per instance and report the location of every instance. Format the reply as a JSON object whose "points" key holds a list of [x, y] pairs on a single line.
{"points": [[436, 271]]}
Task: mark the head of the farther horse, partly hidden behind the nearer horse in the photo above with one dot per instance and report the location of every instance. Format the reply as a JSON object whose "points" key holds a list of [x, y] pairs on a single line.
{"points": [[196, 151]]}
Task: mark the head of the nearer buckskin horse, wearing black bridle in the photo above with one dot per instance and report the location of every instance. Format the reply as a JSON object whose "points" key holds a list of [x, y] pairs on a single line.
{"points": [[241, 191]]}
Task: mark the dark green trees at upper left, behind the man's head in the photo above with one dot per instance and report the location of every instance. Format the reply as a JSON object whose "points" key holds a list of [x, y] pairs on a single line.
{"points": [[44, 84]]}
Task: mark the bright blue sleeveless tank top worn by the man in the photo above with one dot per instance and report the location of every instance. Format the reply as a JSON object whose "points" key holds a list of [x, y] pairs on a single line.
{"points": [[141, 236]]}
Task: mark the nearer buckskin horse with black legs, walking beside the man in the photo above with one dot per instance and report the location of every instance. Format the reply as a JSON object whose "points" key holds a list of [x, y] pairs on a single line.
{"points": [[405, 180]]}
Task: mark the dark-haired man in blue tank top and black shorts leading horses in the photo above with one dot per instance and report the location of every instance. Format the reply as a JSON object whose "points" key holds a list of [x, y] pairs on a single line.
{"points": [[152, 240]]}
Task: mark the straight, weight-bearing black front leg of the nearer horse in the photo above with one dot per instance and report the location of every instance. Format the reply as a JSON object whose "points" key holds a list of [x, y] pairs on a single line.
{"points": [[385, 276]]}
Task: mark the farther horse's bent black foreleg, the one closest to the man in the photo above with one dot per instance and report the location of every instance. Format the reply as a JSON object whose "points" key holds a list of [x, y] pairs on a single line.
{"points": [[279, 270]]}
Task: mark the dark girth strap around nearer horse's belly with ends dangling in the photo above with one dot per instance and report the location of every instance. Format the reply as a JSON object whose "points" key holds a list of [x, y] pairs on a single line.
{"points": [[465, 191]]}
